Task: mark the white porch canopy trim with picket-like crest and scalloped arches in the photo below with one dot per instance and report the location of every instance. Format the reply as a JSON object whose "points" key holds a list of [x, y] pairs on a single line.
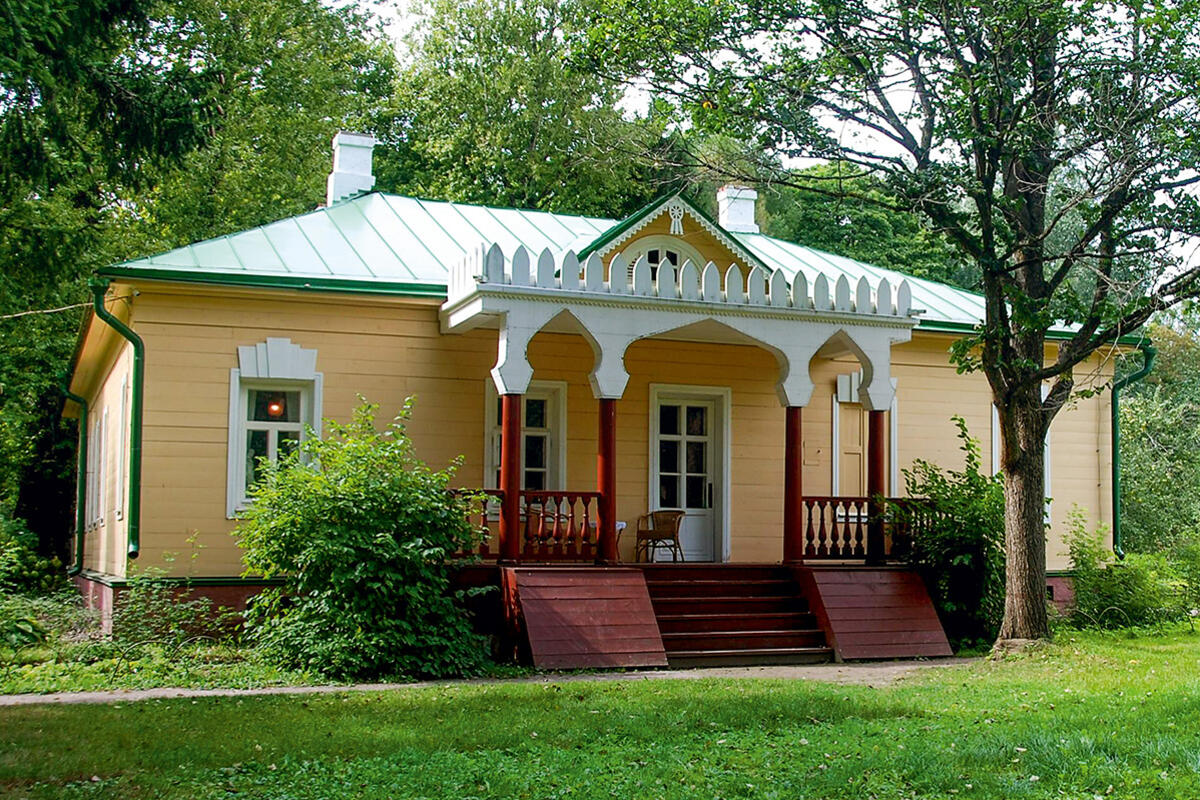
{"points": [[523, 296]]}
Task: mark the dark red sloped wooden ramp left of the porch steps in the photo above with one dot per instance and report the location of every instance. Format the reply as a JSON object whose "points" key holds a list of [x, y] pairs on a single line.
{"points": [[586, 617]]}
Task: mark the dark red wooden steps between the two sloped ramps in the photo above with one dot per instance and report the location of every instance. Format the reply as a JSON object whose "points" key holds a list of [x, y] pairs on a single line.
{"points": [[717, 615]]}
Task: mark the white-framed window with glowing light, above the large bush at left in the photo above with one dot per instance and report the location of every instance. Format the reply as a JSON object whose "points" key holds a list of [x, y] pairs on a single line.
{"points": [[274, 400]]}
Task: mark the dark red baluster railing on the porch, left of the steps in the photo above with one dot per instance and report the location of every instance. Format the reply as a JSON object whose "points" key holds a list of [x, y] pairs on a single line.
{"points": [[555, 526]]}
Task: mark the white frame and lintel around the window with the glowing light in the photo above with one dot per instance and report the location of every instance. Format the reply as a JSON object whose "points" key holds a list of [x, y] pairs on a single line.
{"points": [[275, 365]]}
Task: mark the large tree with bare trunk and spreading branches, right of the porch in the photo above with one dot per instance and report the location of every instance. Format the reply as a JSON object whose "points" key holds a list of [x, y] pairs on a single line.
{"points": [[1053, 142]]}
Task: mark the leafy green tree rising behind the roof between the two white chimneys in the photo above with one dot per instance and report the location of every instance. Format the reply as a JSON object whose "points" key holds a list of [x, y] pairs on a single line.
{"points": [[488, 110]]}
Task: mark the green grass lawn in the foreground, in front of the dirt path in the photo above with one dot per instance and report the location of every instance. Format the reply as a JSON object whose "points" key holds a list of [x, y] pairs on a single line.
{"points": [[1090, 717]]}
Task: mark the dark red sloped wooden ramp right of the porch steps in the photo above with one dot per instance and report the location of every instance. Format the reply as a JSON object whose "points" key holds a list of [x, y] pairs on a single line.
{"points": [[875, 612]]}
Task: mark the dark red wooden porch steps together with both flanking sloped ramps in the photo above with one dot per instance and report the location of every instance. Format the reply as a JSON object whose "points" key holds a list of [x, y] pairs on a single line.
{"points": [[573, 617]]}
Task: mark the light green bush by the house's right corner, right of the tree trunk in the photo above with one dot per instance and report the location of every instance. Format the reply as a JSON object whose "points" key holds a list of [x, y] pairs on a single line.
{"points": [[1144, 590]]}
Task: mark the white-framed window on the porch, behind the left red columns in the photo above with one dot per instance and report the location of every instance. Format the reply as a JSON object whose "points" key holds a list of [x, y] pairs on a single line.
{"points": [[543, 456]]}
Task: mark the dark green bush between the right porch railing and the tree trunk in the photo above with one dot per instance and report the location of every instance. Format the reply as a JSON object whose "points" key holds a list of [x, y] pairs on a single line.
{"points": [[959, 542]]}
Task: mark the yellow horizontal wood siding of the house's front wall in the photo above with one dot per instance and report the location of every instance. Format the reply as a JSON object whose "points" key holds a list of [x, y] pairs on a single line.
{"points": [[389, 348]]}
